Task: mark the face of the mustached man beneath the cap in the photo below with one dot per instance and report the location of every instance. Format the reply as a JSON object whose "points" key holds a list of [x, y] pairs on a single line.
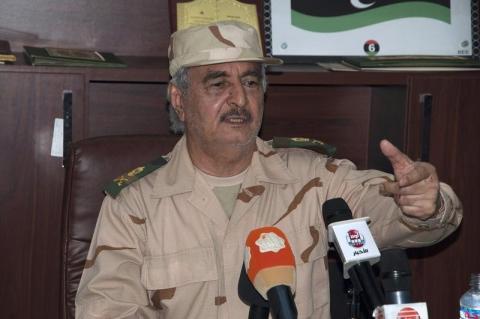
{"points": [[224, 104]]}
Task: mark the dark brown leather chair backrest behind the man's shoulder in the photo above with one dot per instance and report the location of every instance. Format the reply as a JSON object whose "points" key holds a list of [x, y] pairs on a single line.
{"points": [[92, 164]]}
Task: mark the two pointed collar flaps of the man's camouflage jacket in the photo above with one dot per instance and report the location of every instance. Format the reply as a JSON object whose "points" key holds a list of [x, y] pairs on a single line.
{"points": [[178, 175]]}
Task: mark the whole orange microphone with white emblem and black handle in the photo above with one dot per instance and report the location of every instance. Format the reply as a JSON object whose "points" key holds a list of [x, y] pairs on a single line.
{"points": [[270, 266]]}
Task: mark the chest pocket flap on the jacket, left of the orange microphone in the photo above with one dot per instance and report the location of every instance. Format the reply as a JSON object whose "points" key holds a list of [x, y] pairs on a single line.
{"points": [[179, 269]]}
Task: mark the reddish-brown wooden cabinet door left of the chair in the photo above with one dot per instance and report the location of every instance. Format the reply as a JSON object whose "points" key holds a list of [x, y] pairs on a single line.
{"points": [[31, 192]]}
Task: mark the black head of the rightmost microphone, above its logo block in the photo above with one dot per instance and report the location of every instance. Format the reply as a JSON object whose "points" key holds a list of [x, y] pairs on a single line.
{"points": [[396, 276]]}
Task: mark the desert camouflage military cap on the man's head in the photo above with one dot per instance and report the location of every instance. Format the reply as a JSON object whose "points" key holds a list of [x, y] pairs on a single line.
{"points": [[219, 42]]}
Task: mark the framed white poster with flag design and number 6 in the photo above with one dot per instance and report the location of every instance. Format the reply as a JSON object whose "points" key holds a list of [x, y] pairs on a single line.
{"points": [[368, 27]]}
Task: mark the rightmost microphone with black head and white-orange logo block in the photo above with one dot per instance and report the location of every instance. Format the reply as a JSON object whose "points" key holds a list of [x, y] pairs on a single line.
{"points": [[395, 273]]}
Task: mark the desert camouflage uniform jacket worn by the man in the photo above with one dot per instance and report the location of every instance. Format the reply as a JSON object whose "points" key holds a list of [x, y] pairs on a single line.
{"points": [[164, 247]]}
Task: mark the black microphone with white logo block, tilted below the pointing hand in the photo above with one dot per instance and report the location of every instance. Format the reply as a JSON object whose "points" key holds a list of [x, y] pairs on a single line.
{"points": [[357, 249]]}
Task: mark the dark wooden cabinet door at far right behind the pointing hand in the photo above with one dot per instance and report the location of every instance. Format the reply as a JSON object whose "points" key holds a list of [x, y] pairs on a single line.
{"points": [[441, 273]]}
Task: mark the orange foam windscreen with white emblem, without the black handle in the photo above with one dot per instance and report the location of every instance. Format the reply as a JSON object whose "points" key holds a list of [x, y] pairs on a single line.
{"points": [[269, 260]]}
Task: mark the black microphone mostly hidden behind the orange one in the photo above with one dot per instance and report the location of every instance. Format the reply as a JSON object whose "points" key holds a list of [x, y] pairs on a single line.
{"points": [[259, 308]]}
